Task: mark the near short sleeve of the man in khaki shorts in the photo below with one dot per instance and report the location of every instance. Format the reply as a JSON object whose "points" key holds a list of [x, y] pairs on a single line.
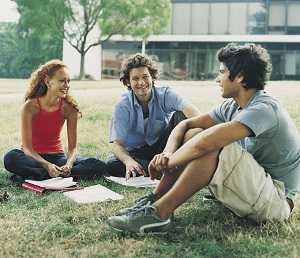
{"points": [[260, 118]]}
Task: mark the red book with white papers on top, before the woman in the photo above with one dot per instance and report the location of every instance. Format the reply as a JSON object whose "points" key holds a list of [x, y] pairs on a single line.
{"points": [[53, 184]]}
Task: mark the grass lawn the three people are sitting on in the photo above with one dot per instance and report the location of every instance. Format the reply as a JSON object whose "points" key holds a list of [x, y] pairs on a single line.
{"points": [[52, 226]]}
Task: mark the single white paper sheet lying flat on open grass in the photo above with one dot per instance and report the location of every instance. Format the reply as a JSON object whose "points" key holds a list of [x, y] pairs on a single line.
{"points": [[95, 193]]}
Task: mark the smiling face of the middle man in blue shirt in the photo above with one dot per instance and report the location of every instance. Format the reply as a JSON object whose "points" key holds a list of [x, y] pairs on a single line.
{"points": [[141, 83]]}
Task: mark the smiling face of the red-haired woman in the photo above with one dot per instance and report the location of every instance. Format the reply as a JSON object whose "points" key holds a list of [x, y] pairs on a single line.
{"points": [[59, 83]]}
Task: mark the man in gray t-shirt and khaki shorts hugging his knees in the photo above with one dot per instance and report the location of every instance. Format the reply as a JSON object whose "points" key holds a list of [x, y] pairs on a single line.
{"points": [[248, 152]]}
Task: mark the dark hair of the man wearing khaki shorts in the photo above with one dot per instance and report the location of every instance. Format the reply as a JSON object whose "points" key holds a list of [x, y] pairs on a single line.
{"points": [[250, 60]]}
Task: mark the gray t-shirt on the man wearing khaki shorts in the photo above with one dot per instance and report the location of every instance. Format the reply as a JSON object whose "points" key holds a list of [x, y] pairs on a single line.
{"points": [[275, 140]]}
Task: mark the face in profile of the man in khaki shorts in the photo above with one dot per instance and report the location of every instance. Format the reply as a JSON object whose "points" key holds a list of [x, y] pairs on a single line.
{"points": [[229, 89]]}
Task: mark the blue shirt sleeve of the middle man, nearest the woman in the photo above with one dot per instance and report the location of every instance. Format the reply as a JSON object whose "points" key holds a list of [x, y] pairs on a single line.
{"points": [[119, 124]]}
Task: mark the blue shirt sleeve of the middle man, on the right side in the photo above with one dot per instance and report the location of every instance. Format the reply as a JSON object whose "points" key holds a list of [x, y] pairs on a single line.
{"points": [[172, 101]]}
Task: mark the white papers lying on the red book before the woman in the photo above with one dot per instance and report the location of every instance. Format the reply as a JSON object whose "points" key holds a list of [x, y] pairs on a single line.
{"points": [[56, 183]]}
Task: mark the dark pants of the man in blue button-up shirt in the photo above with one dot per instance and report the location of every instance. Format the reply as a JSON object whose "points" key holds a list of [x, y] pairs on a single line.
{"points": [[146, 153]]}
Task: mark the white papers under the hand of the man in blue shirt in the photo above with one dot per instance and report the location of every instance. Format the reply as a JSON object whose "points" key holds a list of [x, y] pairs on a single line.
{"points": [[138, 182]]}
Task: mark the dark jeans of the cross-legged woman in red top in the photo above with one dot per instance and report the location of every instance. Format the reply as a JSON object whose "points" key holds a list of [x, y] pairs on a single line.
{"points": [[18, 163]]}
